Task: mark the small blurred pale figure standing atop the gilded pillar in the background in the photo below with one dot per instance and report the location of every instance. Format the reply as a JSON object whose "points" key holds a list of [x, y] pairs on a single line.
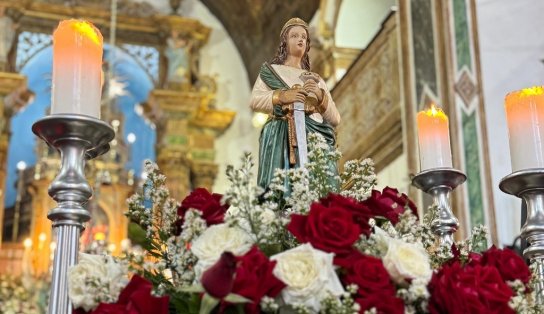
{"points": [[178, 54]]}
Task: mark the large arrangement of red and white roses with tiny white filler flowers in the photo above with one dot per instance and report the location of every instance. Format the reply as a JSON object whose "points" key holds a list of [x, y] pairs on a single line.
{"points": [[303, 245]]}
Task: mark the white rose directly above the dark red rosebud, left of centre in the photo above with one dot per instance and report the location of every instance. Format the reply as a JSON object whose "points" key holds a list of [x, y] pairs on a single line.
{"points": [[215, 240]]}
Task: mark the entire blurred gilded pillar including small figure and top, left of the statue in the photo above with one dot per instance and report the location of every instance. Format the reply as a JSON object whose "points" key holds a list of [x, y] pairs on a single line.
{"points": [[186, 122]]}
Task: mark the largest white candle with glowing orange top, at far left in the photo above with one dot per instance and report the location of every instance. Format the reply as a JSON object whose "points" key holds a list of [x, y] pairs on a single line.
{"points": [[77, 66]]}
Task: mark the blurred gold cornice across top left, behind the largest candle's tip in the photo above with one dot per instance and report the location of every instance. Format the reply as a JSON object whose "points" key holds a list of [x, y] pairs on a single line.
{"points": [[149, 29]]}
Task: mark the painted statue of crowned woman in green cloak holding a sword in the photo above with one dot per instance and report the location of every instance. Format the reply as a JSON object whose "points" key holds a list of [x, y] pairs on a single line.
{"points": [[277, 88]]}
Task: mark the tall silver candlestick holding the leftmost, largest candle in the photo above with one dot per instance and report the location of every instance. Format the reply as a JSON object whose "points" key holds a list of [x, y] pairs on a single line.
{"points": [[77, 138]]}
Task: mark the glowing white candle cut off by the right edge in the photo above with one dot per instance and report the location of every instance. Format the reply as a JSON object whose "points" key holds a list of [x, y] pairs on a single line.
{"points": [[525, 117]]}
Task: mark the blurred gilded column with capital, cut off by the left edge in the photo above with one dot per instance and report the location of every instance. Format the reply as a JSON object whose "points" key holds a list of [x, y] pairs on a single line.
{"points": [[10, 83]]}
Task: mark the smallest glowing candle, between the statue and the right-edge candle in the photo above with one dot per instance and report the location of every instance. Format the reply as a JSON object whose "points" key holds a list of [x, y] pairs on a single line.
{"points": [[434, 139]]}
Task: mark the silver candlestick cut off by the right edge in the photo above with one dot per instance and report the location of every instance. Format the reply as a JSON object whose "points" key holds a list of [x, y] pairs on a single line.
{"points": [[529, 185]]}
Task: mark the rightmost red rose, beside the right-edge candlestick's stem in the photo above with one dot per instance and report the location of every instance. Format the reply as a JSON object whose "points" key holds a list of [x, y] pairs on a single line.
{"points": [[510, 265]]}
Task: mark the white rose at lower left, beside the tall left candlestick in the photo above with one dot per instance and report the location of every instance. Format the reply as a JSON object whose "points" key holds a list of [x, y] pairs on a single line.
{"points": [[95, 279]]}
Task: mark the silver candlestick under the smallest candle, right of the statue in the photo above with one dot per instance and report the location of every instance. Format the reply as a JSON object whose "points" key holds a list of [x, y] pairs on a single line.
{"points": [[439, 183]]}
